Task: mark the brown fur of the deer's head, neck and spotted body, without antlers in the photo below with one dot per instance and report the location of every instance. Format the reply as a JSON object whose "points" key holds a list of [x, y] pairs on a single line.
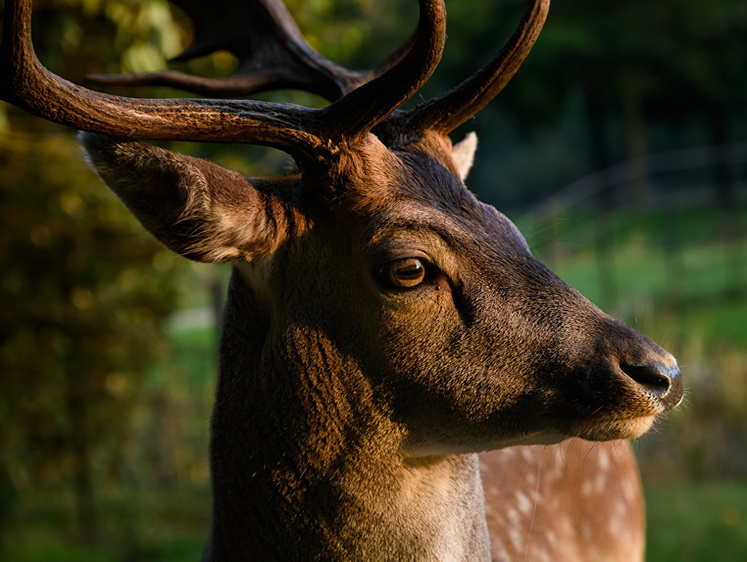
{"points": [[348, 412]]}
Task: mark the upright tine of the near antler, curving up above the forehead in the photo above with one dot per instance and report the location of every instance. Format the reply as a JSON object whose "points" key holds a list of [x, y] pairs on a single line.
{"points": [[367, 106]]}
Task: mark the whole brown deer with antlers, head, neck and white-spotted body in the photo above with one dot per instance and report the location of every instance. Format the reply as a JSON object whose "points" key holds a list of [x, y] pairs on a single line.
{"points": [[399, 379]]}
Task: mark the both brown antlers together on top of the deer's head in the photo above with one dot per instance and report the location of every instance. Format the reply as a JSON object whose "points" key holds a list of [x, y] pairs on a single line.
{"points": [[273, 54]]}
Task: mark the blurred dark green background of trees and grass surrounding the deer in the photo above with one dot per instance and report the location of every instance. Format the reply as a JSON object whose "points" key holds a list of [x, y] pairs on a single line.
{"points": [[620, 150]]}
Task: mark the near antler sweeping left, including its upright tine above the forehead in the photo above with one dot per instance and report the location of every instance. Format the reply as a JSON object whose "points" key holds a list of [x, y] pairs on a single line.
{"points": [[299, 131]]}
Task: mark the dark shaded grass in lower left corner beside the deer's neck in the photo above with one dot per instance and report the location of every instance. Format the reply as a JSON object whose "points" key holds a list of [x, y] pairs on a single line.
{"points": [[132, 524]]}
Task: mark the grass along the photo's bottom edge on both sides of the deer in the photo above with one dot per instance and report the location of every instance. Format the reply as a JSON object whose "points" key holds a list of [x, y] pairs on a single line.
{"points": [[690, 522]]}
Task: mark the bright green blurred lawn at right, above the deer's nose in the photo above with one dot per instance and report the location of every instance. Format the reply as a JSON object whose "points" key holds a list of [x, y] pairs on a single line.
{"points": [[667, 256]]}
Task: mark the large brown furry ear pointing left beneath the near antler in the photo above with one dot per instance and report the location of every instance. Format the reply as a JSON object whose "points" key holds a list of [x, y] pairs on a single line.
{"points": [[196, 208]]}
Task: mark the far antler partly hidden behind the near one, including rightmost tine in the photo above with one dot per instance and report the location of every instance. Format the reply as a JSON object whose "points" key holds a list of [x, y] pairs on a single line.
{"points": [[303, 68]]}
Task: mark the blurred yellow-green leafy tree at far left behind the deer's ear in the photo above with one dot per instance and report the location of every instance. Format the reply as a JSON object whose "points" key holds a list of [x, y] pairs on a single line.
{"points": [[79, 318]]}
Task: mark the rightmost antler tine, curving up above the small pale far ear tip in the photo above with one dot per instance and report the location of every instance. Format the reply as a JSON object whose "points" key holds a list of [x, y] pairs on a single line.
{"points": [[446, 113]]}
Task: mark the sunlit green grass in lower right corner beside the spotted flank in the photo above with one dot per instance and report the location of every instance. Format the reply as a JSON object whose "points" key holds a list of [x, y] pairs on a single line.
{"points": [[697, 522]]}
